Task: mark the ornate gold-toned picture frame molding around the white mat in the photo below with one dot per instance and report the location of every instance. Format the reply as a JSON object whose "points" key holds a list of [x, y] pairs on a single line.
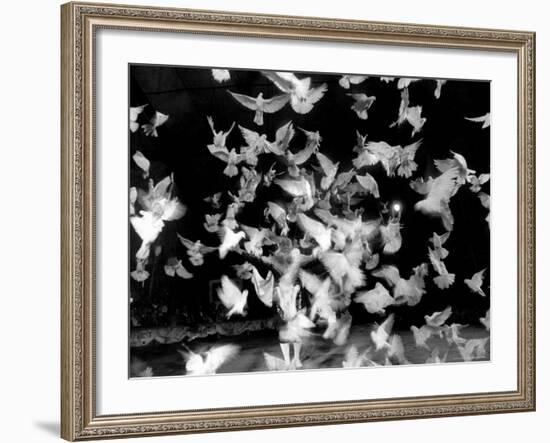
{"points": [[79, 22]]}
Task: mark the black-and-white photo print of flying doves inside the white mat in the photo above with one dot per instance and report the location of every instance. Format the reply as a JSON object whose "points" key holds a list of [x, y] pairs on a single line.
{"points": [[290, 221]]}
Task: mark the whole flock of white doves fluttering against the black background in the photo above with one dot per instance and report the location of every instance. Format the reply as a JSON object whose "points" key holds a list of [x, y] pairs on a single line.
{"points": [[324, 205]]}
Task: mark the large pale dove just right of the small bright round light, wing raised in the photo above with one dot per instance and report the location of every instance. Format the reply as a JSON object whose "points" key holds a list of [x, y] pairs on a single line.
{"points": [[438, 193]]}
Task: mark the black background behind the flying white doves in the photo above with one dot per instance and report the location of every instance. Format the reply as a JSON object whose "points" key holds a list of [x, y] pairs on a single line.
{"points": [[188, 95]]}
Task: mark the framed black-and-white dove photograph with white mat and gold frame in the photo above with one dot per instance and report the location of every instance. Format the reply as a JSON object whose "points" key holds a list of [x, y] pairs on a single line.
{"points": [[282, 221]]}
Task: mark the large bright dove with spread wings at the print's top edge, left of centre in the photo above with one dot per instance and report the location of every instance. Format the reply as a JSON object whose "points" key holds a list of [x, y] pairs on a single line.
{"points": [[302, 95]]}
